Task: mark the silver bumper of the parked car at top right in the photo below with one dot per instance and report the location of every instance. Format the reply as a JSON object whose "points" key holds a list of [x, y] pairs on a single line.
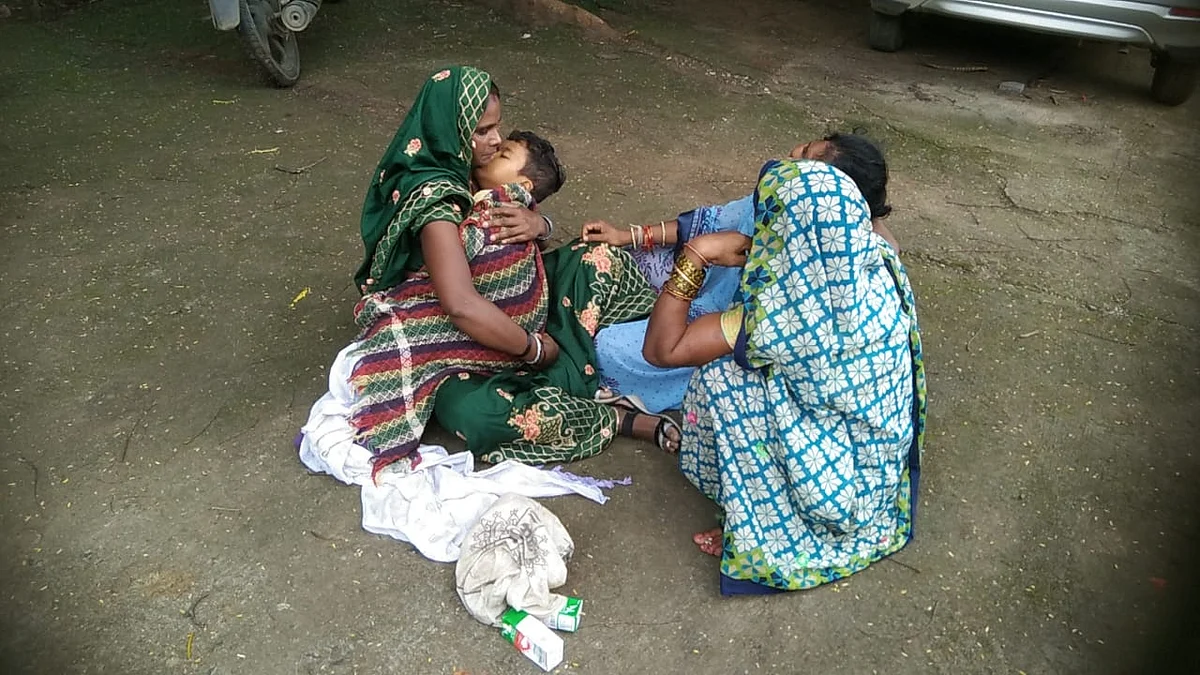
{"points": [[1118, 21]]}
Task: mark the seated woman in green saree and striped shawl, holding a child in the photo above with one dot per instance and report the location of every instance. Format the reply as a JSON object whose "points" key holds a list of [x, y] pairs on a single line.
{"points": [[500, 334]]}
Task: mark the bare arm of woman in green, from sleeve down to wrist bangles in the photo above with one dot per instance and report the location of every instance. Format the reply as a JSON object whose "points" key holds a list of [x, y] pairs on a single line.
{"points": [[470, 312]]}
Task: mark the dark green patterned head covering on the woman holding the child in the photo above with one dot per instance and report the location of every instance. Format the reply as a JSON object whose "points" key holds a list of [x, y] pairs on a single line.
{"points": [[424, 176]]}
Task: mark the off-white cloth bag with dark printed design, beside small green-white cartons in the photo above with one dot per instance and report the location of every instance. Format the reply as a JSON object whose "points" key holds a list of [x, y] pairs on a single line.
{"points": [[513, 558]]}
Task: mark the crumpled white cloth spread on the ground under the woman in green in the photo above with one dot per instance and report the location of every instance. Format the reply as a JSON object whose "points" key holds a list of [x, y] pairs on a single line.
{"points": [[434, 506]]}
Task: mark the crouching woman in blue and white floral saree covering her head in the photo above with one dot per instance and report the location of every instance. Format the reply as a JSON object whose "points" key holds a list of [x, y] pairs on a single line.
{"points": [[806, 420]]}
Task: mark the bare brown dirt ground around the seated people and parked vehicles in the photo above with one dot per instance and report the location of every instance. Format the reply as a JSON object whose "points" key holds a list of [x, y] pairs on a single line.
{"points": [[157, 367]]}
